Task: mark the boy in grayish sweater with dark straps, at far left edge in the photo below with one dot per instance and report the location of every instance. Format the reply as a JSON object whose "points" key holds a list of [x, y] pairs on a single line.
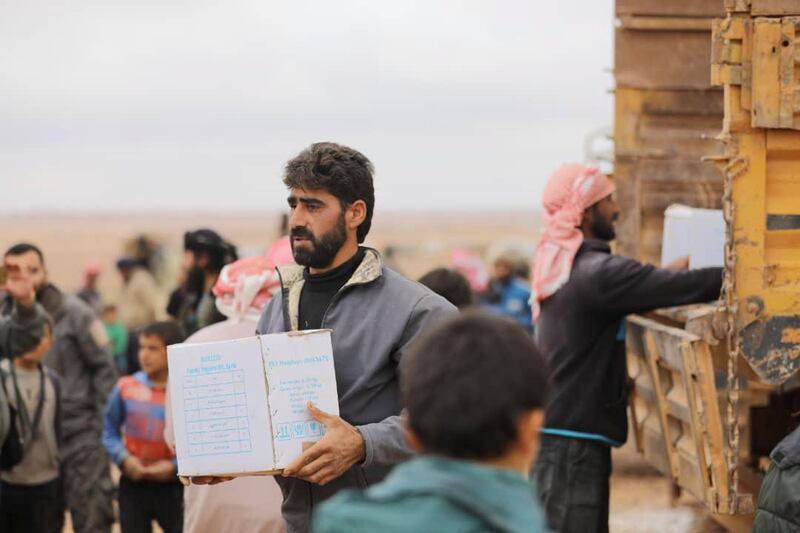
{"points": [[30, 490]]}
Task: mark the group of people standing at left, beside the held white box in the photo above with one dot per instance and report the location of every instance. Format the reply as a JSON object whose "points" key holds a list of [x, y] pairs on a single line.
{"points": [[68, 417]]}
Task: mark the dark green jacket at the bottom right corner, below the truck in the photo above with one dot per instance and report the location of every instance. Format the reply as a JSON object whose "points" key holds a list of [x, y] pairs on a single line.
{"points": [[779, 501]]}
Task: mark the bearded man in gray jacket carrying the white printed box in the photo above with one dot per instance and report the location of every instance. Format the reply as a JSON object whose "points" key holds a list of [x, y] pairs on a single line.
{"points": [[374, 312]]}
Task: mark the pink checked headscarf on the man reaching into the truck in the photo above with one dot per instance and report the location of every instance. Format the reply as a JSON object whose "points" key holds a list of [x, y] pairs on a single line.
{"points": [[571, 190]]}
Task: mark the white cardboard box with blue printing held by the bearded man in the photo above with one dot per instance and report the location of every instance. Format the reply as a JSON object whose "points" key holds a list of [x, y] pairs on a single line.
{"points": [[239, 406]]}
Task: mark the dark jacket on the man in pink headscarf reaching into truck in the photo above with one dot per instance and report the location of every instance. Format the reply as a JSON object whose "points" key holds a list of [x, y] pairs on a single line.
{"points": [[580, 332]]}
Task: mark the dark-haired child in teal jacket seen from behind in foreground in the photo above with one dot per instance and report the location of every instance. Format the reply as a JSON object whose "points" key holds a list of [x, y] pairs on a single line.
{"points": [[474, 389]]}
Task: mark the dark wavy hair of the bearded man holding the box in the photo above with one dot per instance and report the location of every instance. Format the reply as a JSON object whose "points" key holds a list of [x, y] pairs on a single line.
{"points": [[339, 170]]}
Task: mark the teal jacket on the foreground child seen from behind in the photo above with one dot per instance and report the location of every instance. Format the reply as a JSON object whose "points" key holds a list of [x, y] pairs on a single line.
{"points": [[436, 494]]}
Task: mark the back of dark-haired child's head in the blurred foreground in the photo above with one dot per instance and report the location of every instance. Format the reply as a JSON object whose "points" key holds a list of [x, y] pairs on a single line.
{"points": [[475, 388]]}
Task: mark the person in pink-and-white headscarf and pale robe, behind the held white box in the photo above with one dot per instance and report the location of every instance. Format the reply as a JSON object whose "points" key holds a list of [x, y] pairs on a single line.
{"points": [[245, 504]]}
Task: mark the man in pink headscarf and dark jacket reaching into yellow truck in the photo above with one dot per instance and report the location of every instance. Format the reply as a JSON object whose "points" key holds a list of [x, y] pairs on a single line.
{"points": [[582, 294]]}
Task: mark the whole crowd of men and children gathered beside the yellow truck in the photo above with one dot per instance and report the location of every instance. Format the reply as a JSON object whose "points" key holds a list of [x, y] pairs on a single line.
{"points": [[468, 401]]}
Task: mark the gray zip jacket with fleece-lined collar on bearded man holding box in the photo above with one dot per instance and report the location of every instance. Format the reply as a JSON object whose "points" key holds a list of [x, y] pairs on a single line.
{"points": [[375, 317]]}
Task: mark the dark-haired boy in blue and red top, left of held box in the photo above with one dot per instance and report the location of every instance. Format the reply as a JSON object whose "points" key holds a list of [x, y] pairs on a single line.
{"points": [[134, 438]]}
